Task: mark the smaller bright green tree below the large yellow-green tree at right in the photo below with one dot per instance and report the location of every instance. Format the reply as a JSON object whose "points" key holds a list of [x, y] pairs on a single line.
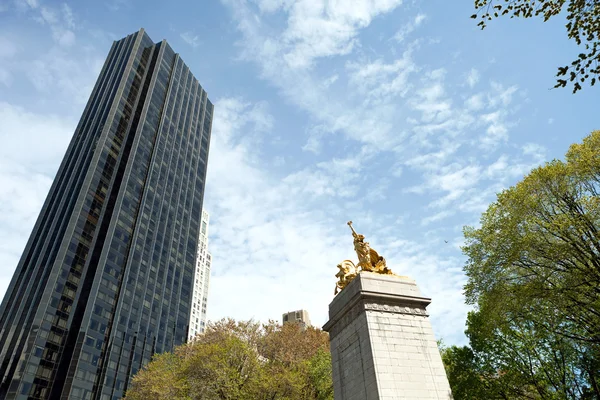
{"points": [[515, 360]]}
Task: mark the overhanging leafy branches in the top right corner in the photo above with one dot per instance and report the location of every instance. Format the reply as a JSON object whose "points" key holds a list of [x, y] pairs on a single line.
{"points": [[583, 26]]}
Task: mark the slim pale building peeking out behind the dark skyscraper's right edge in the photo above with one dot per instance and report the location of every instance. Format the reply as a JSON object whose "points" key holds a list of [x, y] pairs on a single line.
{"points": [[201, 281]]}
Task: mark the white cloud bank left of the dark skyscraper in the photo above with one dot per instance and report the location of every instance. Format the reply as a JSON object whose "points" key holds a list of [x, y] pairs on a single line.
{"points": [[28, 162]]}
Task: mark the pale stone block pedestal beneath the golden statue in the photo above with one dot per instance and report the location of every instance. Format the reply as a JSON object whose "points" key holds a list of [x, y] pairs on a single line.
{"points": [[382, 344]]}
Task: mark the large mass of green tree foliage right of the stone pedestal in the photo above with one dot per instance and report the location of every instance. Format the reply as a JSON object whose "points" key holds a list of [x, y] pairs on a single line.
{"points": [[534, 275]]}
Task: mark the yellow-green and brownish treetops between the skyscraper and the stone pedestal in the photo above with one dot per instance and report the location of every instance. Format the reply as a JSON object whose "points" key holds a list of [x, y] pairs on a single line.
{"points": [[241, 360]]}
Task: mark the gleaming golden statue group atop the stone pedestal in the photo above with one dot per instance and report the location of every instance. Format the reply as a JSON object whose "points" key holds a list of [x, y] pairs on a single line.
{"points": [[368, 260]]}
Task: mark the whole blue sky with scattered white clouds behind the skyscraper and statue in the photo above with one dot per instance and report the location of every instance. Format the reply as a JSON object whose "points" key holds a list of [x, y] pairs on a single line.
{"points": [[401, 116]]}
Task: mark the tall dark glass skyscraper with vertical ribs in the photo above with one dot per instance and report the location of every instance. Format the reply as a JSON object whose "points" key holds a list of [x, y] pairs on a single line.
{"points": [[106, 277]]}
